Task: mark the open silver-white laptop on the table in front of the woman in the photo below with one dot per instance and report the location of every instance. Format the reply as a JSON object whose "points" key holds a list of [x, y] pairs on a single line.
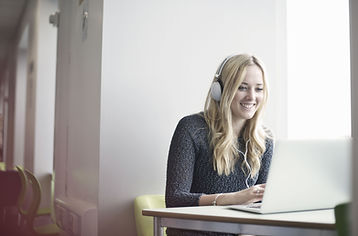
{"points": [[306, 175]]}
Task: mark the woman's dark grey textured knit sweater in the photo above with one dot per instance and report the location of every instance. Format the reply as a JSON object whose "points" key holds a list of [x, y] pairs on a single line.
{"points": [[190, 171]]}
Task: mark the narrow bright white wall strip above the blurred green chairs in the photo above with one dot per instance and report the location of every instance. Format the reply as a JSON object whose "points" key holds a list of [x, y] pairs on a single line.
{"points": [[45, 95]]}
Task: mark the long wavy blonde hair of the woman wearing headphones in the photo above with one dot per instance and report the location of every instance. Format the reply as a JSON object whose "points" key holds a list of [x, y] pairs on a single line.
{"points": [[218, 116]]}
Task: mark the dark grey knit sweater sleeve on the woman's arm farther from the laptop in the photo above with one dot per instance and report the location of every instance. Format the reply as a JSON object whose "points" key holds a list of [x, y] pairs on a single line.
{"points": [[180, 168]]}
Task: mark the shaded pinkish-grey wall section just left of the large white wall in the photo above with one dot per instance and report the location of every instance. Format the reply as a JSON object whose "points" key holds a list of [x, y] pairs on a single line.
{"points": [[77, 111]]}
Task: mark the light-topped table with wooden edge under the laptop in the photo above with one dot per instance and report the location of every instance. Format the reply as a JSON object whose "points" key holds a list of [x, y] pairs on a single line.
{"points": [[223, 219]]}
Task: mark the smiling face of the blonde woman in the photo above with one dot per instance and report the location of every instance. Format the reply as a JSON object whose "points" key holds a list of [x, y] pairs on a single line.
{"points": [[249, 96]]}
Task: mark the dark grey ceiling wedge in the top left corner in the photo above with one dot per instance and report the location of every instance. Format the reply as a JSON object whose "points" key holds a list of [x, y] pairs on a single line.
{"points": [[10, 15]]}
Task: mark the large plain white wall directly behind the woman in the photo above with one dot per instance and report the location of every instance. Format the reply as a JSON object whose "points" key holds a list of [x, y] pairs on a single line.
{"points": [[158, 60]]}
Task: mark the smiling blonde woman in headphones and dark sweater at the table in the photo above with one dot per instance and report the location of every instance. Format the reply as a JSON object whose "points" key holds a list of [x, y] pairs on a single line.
{"points": [[222, 155]]}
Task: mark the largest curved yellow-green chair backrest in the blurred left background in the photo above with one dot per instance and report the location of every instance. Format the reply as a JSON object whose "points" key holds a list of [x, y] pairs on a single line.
{"points": [[34, 185]]}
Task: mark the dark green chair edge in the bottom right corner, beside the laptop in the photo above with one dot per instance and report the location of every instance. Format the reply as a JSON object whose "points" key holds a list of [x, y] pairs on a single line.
{"points": [[342, 215]]}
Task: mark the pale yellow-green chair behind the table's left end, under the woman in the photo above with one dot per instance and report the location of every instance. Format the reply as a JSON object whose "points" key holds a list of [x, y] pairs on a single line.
{"points": [[144, 224]]}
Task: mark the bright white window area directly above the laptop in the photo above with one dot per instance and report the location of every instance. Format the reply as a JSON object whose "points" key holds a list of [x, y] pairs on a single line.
{"points": [[318, 69]]}
